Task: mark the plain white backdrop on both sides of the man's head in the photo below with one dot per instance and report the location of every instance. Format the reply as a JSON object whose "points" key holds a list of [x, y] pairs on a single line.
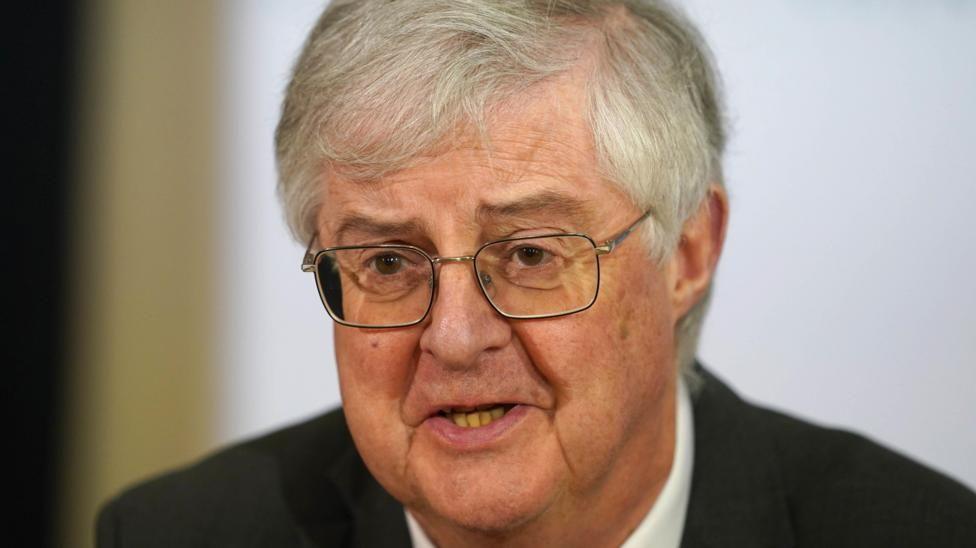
{"points": [[846, 292]]}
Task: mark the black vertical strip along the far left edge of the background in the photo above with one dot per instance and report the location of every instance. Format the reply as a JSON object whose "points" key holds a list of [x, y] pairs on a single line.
{"points": [[39, 97]]}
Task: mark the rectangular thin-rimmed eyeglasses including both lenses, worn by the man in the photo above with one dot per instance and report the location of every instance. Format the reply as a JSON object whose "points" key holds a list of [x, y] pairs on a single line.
{"points": [[393, 285]]}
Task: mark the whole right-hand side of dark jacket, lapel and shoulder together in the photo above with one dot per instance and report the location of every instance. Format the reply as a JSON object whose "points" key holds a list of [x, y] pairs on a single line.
{"points": [[819, 486]]}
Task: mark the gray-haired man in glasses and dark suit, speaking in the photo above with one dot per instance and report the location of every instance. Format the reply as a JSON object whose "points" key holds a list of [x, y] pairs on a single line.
{"points": [[514, 213]]}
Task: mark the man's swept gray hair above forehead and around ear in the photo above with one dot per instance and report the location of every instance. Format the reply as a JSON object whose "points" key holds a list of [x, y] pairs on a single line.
{"points": [[378, 83]]}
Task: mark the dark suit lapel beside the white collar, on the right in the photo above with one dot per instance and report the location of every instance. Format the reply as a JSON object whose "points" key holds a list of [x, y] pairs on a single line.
{"points": [[737, 494]]}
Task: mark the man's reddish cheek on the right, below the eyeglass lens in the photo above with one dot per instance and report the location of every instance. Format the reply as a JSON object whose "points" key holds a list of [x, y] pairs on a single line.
{"points": [[609, 367]]}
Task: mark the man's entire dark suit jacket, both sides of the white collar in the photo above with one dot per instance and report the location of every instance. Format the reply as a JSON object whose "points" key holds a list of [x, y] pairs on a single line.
{"points": [[760, 479]]}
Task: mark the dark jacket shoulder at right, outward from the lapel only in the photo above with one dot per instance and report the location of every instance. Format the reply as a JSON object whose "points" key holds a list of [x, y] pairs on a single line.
{"points": [[839, 481]]}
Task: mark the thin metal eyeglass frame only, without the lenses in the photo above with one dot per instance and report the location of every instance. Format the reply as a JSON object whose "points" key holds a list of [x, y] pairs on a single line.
{"points": [[311, 259]]}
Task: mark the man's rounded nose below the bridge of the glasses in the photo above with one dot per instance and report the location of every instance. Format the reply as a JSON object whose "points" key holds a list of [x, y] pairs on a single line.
{"points": [[462, 325]]}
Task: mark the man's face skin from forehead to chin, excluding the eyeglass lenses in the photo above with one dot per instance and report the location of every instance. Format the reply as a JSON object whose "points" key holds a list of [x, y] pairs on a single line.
{"points": [[593, 392]]}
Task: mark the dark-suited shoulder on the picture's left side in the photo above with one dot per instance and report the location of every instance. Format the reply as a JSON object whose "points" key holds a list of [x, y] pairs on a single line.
{"points": [[252, 494]]}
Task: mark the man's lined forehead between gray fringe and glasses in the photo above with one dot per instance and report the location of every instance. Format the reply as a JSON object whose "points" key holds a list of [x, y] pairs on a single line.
{"points": [[537, 158]]}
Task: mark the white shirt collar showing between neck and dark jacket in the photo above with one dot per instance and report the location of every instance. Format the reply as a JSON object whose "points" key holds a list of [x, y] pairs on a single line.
{"points": [[664, 523]]}
